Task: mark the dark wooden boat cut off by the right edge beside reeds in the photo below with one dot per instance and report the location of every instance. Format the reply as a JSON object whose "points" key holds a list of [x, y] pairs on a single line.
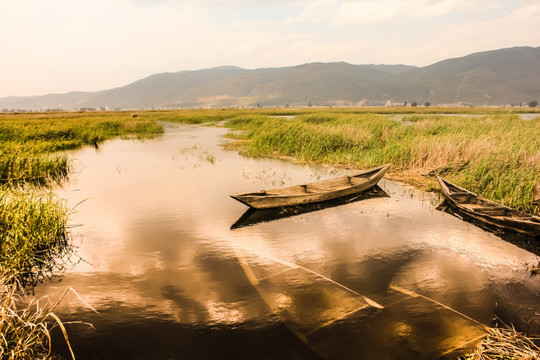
{"points": [[489, 211]]}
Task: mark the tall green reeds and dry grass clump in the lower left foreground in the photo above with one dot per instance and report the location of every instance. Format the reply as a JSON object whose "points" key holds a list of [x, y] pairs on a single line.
{"points": [[33, 236]]}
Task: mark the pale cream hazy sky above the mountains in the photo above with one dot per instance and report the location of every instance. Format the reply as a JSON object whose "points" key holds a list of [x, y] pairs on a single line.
{"points": [[56, 46]]}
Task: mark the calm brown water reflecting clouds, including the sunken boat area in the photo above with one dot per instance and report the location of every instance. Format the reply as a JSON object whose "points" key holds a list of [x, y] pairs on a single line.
{"points": [[175, 271]]}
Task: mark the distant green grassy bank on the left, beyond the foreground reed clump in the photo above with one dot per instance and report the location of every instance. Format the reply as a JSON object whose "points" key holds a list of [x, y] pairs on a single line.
{"points": [[31, 144]]}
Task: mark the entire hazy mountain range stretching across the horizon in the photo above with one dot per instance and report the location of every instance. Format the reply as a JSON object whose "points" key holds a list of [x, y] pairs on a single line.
{"points": [[499, 77]]}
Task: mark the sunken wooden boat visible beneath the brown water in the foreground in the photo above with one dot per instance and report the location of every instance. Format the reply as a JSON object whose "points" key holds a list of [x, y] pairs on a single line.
{"points": [[338, 322]]}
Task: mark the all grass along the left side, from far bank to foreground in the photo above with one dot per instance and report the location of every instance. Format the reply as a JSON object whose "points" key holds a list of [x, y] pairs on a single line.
{"points": [[34, 232]]}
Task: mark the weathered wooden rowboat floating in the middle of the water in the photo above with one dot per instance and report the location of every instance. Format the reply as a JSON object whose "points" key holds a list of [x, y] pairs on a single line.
{"points": [[314, 192]]}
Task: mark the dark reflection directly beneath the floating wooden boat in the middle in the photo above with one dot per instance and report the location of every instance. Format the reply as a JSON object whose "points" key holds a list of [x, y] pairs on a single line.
{"points": [[255, 216]]}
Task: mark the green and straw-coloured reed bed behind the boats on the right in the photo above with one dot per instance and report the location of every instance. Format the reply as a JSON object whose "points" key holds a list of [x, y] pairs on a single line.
{"points": [[496, 155]]}
